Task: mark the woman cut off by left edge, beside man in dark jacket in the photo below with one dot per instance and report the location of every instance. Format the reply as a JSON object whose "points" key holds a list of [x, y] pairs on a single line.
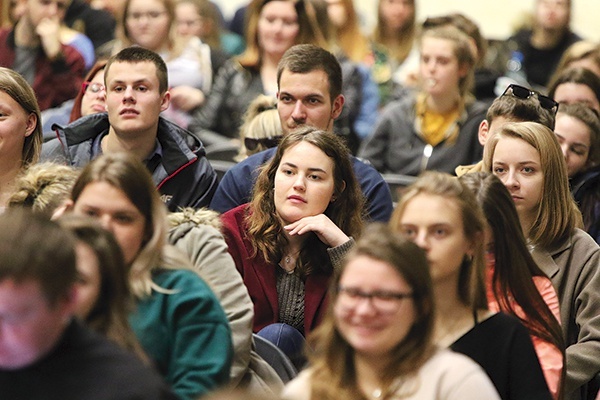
{"points": [[21, 130]]}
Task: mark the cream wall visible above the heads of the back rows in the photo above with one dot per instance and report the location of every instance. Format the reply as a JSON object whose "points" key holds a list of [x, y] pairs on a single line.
{"points": [[496, 18]]}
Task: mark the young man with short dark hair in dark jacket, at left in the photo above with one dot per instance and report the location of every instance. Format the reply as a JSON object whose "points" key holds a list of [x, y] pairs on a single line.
{"points": [[136, 86]]}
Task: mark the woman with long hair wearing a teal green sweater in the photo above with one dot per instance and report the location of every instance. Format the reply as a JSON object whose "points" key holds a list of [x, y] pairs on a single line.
{"points": [[178, 320]]}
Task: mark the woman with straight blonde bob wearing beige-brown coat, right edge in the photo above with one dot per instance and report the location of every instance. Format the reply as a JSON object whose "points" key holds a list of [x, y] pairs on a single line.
{"points": [[527, 158]]}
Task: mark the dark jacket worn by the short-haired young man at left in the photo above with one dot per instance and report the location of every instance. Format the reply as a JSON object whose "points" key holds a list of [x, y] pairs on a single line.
{"points": [[182, 174]]}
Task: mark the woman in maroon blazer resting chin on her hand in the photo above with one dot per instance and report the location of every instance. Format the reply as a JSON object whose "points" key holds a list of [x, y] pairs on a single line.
{"points": [[288, 240]]}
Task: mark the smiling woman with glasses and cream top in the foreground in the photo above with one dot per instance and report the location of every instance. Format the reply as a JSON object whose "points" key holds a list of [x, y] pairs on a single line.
{"points": [[376, 341]]}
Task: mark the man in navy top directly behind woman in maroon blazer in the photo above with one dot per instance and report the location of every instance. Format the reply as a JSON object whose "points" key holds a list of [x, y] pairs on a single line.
{"points": [[309, 81]]}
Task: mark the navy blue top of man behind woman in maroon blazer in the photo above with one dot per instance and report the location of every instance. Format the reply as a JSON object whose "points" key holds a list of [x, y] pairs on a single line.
{"points": [[236, 186]]}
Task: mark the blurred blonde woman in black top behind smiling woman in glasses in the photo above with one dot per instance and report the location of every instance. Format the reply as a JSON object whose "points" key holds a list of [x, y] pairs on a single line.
{"points": [[442, 217]]}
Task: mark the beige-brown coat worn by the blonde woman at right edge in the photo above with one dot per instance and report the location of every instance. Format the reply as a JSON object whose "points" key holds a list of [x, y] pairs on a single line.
{"points": [[574, 268]]}
